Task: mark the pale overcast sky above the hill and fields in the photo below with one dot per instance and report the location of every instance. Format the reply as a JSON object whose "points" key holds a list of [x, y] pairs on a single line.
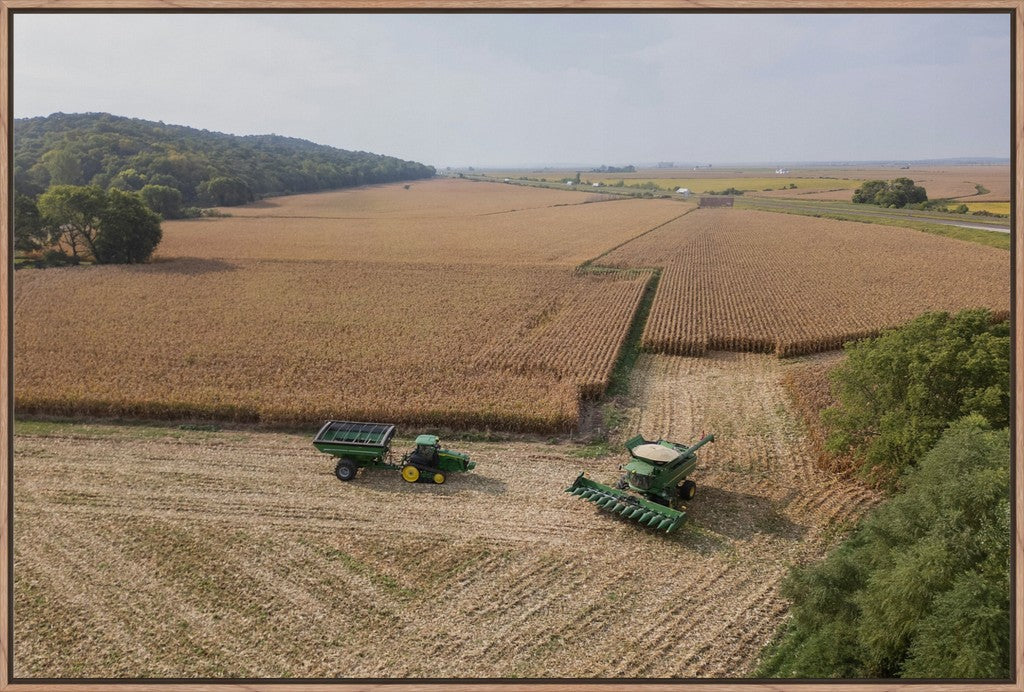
{"points": [[533, 90]]}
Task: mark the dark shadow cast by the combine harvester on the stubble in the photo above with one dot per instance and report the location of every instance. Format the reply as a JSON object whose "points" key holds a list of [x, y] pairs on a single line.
{"points": [[740, 515]]}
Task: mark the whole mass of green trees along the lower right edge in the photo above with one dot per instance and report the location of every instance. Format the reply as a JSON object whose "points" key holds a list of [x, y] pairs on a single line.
{"points": [[921, 589]]}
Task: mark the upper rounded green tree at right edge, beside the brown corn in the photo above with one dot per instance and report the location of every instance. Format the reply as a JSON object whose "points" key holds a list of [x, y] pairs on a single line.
{"points": [[899, 392]]}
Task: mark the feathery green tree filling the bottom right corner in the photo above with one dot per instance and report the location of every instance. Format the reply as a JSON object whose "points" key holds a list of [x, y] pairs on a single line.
{"points": [[922, 589]]}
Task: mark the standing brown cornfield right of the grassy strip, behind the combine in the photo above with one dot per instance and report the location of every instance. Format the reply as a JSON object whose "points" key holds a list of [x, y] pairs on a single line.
{"points": [[740, 280]]}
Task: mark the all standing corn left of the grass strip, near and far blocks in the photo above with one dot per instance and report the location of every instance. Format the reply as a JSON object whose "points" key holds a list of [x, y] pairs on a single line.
{"points": [[477, 320]]}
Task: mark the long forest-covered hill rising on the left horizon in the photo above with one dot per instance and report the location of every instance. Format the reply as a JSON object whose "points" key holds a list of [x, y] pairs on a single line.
{"points": [[208, 168]]}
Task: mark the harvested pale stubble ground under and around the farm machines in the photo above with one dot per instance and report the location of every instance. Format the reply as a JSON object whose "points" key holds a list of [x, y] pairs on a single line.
{"points": [[168, 553]]}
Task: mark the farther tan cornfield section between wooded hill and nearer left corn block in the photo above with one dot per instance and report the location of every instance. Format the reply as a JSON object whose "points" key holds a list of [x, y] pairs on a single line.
{"points": [[564, 235]]}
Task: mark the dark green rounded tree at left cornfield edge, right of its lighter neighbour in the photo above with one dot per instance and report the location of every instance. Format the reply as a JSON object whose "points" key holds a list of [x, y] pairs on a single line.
{"points": [[130, 231]]}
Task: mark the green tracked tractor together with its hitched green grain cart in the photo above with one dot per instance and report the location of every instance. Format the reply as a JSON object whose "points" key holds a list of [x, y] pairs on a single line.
{"points": [[369, 446]]}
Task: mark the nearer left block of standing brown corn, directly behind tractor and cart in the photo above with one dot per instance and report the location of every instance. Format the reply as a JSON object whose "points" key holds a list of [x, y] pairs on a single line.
{"points": [[292, 343]]}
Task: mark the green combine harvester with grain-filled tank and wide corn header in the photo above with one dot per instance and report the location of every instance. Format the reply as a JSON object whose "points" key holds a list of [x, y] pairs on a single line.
{"points": [[655, 490]]}
